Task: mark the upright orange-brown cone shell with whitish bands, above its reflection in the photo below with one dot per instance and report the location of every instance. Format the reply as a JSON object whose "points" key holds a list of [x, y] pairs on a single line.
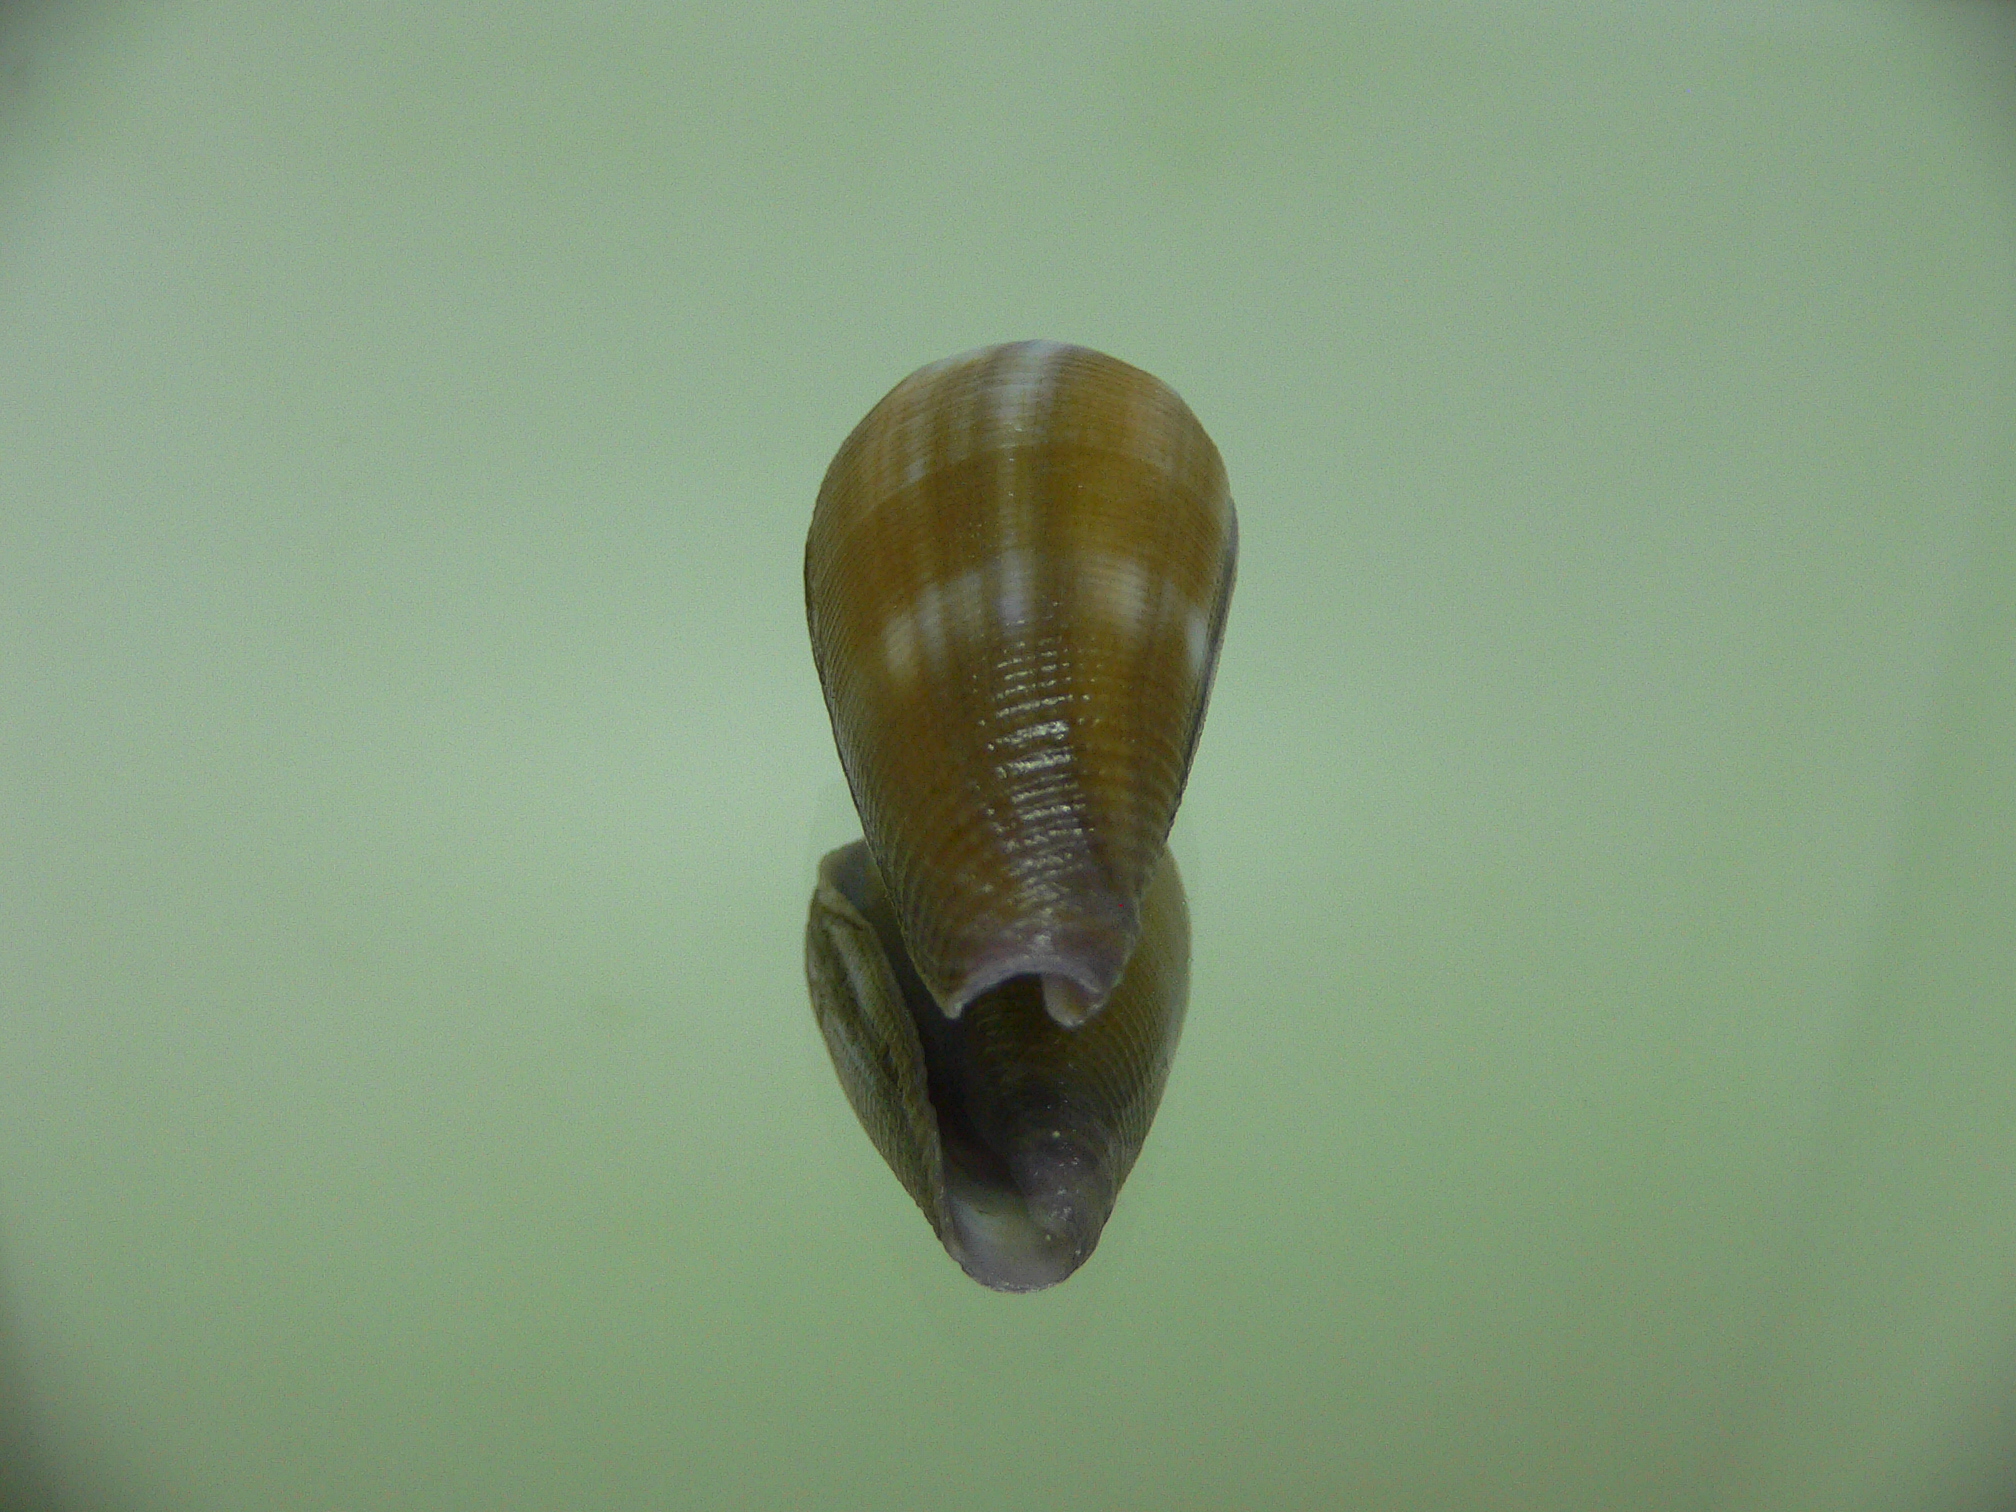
{"points": [[1017, 580]]}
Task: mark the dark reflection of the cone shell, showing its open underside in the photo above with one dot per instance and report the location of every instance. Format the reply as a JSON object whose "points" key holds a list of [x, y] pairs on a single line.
{"points": [[1011, 1132]]}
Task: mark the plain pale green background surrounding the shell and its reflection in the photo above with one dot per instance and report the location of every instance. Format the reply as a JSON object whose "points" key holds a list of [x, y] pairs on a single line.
{"points": [[1602, 1072]]}
